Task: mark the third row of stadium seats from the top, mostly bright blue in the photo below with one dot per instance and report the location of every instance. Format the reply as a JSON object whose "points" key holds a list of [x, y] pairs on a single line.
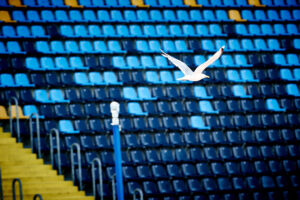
{"points": [[136, 31]]}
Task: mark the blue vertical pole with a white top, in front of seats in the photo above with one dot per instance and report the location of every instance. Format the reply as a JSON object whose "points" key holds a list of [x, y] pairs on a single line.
{"points": [[115, 108]]}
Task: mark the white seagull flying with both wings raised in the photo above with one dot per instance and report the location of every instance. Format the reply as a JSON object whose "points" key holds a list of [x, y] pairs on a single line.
{"points": [[197, 75]]}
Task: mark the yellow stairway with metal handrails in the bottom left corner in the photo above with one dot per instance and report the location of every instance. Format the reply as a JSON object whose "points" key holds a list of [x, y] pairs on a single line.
{"points": [[36, 177]]}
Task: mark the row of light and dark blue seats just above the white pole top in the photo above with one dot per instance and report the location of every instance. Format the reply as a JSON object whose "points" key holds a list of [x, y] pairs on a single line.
{"points": [[144, 93]]}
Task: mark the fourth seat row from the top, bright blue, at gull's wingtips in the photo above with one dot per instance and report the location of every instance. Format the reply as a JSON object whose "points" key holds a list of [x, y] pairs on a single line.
{"points": [[154, 46]]}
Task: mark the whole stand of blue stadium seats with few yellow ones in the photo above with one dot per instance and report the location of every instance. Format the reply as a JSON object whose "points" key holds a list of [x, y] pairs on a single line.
{"points": [[235, 135]]}
